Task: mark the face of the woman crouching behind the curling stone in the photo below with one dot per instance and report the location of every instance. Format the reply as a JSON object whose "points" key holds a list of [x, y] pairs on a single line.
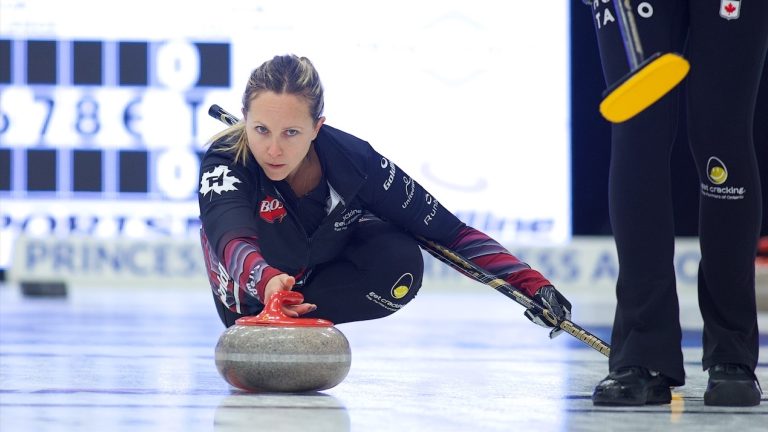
{"points": [[280, 130]]}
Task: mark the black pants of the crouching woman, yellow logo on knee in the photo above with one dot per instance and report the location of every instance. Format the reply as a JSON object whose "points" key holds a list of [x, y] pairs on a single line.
{"points": [[379, 272]]}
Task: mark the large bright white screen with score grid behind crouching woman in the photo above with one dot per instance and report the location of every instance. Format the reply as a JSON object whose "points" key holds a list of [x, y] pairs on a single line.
{"points": [[103, 106]]}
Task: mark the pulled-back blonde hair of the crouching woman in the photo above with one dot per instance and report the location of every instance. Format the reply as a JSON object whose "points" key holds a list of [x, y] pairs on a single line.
{"points": [[286, 74]]}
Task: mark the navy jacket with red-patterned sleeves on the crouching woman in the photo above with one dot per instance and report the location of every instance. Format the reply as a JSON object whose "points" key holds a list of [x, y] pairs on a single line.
{"points": [[237, 201]]}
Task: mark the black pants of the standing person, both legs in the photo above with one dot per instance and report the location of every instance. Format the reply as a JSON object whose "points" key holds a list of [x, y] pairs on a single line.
{"points": [[726, 59]]}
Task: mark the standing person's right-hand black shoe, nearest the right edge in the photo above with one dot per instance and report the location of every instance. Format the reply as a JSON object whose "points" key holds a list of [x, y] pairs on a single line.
{"points": [[732, 385]]}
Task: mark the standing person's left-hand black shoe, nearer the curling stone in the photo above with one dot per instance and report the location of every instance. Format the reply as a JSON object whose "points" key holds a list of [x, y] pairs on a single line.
{"points": [[632, 385]]}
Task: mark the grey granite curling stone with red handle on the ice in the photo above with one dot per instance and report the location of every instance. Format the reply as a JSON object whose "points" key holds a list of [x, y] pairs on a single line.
{"points": [[272, 352]]}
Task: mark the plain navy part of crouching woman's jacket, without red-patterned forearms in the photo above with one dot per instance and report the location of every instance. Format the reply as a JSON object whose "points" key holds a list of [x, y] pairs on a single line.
{"points": [[360, 180]]}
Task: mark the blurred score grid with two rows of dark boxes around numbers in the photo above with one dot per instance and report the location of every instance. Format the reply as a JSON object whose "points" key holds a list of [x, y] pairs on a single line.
{"points": [[107, 118]]}
